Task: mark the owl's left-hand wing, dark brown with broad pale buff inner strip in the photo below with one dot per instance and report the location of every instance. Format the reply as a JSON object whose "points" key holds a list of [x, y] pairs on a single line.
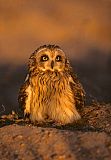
{"points": [[24, 97]]}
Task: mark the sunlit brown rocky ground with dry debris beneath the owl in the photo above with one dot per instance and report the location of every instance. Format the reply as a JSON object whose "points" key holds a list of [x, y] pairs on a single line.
{"points": [[89, 139]]}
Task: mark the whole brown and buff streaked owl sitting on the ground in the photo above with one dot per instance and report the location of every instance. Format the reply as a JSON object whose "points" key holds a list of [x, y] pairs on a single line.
{"points": [[51, 91]]}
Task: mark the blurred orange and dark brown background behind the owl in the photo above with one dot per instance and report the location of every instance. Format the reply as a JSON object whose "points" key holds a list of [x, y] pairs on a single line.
{"points": [[82, 28]]}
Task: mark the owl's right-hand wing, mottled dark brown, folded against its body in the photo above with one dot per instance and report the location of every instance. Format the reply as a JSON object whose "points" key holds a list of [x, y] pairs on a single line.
{"points": [[77, 90]]}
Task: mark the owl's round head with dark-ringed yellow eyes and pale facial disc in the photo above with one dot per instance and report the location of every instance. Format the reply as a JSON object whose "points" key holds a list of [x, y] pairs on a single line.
{"points": [[48, 57]]}
